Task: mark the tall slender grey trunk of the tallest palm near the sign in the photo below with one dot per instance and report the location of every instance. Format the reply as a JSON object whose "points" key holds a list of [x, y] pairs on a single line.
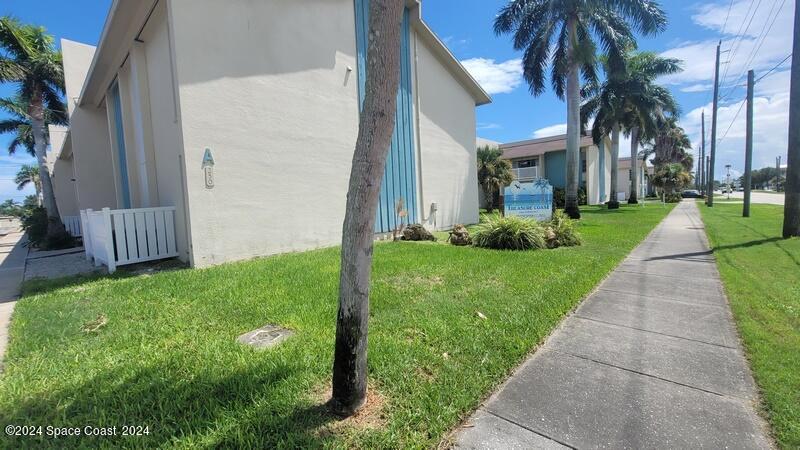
{"points": [[573, 126]]}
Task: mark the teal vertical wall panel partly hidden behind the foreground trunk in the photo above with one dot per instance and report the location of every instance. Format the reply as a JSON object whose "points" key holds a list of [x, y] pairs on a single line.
{"points": [[399, 179]]}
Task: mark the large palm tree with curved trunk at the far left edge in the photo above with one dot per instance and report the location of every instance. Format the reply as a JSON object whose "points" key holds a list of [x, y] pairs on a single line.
{"points": [[29, 61]]}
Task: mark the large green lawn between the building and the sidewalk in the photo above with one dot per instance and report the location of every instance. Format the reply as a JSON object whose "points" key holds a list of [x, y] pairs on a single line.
{"points": [[167, 357]]}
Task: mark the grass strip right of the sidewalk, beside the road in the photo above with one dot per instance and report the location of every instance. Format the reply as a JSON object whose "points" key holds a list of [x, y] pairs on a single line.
{"points": [[761, 273]]}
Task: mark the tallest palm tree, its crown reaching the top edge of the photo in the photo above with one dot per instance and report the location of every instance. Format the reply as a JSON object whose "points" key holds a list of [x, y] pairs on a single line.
{"points": [[563, 35]]}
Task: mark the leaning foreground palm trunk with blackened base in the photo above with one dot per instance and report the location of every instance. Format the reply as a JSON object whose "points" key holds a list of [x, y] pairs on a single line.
{"points": [[376, 126]]}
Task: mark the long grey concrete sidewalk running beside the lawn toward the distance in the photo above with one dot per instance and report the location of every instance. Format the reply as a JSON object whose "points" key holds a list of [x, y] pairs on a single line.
{"points": [[650, 360]]}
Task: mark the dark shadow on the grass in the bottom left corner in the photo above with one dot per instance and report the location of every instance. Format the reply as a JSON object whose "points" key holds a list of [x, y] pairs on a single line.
{"points": [[253, 407]]}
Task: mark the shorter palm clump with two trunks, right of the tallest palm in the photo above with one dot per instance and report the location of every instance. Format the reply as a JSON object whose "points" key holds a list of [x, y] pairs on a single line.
{"points": [[621, 101]]}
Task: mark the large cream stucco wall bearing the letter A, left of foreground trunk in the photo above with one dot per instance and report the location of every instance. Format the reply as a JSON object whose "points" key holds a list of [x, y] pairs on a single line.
{"points": [[274, 98]]}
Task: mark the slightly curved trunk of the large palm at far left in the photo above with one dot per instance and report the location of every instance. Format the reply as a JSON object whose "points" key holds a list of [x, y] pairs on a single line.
{"points": [[54, 225]]}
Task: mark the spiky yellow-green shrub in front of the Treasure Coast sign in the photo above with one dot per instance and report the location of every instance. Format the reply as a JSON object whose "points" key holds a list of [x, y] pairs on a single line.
{"points": [[510, 233]]}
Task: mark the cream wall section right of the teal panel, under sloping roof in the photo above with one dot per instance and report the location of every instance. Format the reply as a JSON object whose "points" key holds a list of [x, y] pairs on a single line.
{"points": [[447, 155]]}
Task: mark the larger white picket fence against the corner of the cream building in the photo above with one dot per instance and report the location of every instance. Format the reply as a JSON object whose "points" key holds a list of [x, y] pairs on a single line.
{"points": [[128, 236]]}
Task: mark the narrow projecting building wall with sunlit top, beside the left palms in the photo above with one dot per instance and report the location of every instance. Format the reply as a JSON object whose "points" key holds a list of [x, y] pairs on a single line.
{"points": [[92, 163]]}
